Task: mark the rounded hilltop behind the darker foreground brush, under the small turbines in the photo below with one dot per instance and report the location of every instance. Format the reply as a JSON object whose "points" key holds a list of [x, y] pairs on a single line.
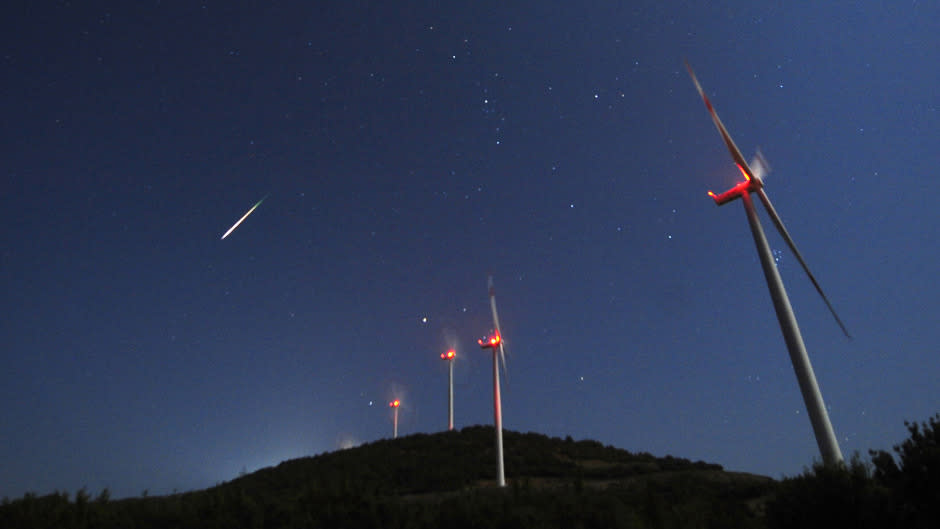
{"points": [[447, 461]]}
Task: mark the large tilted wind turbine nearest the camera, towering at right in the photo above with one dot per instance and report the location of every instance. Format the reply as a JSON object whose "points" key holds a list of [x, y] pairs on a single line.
{"points": [[812, 397]]}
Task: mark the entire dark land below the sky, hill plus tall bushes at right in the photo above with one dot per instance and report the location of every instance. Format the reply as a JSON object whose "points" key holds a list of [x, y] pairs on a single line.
{"points": [[447, 480]]}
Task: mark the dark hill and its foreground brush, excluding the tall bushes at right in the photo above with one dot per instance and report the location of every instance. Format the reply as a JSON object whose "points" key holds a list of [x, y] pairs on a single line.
{"points": [[438, 480]]}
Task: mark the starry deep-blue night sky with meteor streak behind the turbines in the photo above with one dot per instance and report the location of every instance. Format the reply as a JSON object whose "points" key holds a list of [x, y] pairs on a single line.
{"points": [[409, 149]]}
